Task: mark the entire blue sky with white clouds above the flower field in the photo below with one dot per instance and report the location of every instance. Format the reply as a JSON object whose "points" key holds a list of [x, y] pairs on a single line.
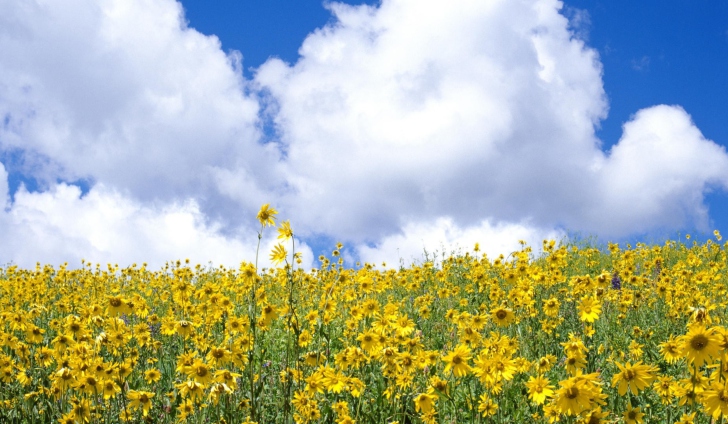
{"points": [[153, 130]]}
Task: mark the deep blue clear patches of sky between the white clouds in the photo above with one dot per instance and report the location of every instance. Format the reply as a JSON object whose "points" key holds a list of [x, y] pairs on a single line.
{"points": [[652, 53]]}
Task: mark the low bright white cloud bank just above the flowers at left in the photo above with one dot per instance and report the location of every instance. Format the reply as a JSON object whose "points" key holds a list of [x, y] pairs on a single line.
{"points": [[104, 226]]}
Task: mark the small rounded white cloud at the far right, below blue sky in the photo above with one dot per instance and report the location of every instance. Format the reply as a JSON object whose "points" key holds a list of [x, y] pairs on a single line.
{"points": [[656, 176]]}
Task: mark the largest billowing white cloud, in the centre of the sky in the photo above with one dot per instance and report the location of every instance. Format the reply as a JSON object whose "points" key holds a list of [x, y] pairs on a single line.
{"points": [[417, 110]]}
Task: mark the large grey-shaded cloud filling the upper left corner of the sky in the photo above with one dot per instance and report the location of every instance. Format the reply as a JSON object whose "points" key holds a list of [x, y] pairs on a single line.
{"points": [[122, 92]]}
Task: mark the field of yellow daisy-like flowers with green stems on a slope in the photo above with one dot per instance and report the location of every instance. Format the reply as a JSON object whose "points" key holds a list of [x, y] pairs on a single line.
{"points": [[573, 334]]}
